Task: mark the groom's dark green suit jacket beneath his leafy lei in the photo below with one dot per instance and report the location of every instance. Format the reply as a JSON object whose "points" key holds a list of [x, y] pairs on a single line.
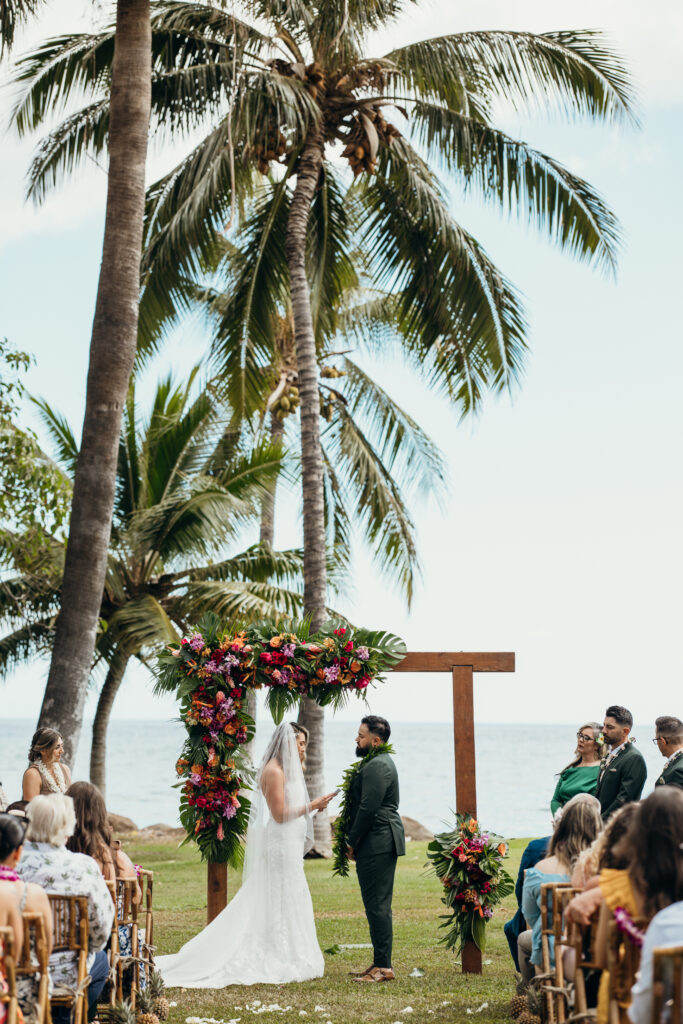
{"points": [[376, 825]]}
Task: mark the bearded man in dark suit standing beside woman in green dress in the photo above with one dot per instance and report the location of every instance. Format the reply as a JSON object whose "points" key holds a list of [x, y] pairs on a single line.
{"points": [[623, 773]]}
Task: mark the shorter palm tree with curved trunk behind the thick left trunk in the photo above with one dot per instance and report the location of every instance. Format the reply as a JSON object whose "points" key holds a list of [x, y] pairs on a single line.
{"points": [[186, 490]]}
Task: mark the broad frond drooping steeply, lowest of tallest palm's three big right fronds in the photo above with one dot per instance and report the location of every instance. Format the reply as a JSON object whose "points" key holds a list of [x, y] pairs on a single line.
{"points": [[455, 308]]}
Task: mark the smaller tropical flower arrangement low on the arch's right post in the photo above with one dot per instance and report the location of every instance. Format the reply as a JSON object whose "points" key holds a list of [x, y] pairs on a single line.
{"points": [[469, 865]]}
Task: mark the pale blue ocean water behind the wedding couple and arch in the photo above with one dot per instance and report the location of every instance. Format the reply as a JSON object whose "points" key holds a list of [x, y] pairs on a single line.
{"points": [[517, 769]]}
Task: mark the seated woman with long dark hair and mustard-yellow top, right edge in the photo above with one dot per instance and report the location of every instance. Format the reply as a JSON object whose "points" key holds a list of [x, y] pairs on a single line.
{"points": [[651, 880]]}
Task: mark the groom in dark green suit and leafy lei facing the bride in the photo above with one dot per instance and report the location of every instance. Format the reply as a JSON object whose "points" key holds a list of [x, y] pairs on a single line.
{"points": [[376, 839]]}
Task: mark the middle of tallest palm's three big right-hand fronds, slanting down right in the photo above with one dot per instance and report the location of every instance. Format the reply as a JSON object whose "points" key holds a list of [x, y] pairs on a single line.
{"points": [[522, 179]]}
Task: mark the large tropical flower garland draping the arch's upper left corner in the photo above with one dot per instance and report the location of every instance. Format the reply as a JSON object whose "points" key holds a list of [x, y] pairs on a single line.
{"points": [[211, 672]]}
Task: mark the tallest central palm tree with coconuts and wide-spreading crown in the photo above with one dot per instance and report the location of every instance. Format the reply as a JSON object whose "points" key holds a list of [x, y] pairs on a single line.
{"points": [[286, 93]]}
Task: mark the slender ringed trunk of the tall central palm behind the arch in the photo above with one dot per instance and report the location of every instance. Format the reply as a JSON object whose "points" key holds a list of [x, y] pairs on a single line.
{"points": [[315, 569]]}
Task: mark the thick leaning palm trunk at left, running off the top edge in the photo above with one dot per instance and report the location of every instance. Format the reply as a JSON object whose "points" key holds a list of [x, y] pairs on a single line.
{"points": [[112, 356]]}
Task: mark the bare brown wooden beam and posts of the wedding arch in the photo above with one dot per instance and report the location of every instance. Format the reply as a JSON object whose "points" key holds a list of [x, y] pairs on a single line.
{"points": [[462, 666]]}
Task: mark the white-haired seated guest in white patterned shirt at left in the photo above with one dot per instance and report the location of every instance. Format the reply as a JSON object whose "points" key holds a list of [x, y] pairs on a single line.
{"points": [[47, 862]]}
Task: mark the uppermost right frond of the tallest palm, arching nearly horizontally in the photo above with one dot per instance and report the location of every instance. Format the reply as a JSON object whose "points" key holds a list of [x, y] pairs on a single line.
{"points": [[573, 71]]}
